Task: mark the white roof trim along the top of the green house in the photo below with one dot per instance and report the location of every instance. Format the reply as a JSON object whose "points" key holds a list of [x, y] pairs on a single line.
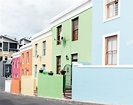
{"points": [[72, 11]]}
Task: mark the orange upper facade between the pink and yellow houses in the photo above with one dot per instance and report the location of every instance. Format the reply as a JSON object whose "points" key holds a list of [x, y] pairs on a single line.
{"points": [[26, 66]]}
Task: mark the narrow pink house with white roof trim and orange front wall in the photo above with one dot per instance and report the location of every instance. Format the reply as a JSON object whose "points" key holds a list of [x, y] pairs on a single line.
{"points": [[16, 75]]}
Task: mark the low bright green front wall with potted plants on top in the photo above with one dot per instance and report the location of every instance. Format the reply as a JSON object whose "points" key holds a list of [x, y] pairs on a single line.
{"points": [[50, 86]]}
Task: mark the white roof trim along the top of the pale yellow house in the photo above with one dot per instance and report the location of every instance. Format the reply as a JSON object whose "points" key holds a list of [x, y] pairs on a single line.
{"points": [[45, 33]]}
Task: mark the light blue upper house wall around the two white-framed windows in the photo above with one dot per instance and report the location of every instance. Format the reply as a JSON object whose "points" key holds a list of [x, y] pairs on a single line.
{"points": [[124, 24]]}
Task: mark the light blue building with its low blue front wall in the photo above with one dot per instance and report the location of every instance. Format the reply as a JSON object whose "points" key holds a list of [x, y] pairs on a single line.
{"points": [[109, 78]]}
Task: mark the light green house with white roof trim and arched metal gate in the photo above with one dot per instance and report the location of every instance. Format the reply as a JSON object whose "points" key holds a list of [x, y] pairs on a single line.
{"points": [[71, 41]]}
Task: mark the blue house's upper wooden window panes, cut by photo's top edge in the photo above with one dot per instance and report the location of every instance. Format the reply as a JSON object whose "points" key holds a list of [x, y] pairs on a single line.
{"points": [[111, 8]]}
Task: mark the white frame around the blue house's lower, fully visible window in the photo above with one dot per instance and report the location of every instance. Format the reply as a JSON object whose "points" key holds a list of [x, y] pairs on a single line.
{"points": [[103, 50]]}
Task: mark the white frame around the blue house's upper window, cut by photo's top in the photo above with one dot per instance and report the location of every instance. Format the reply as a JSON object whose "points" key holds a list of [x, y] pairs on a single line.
{"points": [[104, 12]]}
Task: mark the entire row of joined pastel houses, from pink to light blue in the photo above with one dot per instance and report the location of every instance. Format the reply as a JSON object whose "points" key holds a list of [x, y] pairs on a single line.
{"points": [[85, 55]]}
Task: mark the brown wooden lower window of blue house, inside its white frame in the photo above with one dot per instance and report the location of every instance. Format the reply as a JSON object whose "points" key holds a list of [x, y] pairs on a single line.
{"points": [[111, 50]]}
